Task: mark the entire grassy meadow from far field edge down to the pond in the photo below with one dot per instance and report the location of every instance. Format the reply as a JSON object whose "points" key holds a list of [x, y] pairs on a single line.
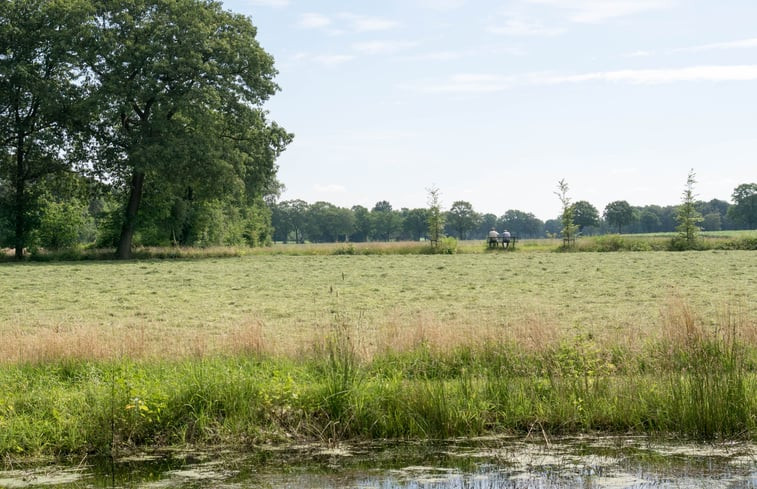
{"points": [[101, 356]]}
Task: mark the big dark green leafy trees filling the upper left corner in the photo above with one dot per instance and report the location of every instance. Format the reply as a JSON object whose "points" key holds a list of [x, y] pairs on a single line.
{"points": [[160, 100]]}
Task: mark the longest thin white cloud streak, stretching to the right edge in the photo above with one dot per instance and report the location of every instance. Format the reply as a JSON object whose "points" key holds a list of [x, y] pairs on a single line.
{"points": [[490, 83]]}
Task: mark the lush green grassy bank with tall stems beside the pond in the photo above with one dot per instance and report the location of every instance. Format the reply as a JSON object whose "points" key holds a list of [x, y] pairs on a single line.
{"points": [[696, 381]]}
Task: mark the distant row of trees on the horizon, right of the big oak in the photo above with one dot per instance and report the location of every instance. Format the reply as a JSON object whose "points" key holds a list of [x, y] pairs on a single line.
{"points": [[299, 221]]}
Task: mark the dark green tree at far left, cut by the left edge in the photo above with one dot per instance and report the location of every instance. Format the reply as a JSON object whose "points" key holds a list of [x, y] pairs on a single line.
{"points": [[40, 103]]}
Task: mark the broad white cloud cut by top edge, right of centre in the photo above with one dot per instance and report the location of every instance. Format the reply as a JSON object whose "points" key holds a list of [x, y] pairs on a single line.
{"points": [[595, 11]]}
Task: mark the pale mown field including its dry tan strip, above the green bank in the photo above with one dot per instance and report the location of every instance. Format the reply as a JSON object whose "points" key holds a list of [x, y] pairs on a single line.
{"points": [[280, 303]]}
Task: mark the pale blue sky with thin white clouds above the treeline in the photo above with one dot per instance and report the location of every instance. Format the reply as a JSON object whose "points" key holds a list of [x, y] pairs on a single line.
{"points": [[495, 102]]}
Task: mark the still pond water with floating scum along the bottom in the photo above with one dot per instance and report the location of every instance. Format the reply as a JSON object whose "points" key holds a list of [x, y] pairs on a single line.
{"points": [[463, 464]]}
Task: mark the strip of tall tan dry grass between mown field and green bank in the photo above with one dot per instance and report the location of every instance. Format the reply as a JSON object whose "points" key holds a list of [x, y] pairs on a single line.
{"points": [[528, 331]]}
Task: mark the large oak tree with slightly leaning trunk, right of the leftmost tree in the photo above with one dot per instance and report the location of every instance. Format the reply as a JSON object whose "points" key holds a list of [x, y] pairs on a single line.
{"points": [[181, 85]]}
